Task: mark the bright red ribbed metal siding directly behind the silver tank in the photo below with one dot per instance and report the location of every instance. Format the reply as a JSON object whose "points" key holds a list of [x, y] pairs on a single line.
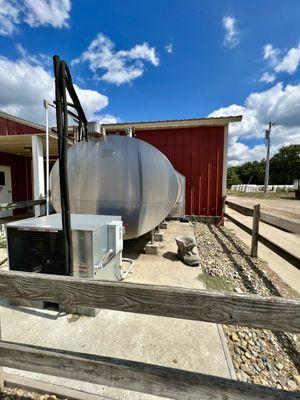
{"points": [[197, 153]]}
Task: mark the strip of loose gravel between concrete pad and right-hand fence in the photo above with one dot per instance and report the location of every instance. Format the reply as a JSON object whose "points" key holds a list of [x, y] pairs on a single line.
{"points": [[259, 356]]}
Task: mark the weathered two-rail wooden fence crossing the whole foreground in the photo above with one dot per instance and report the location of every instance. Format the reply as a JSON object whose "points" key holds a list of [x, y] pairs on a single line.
{"points": [[201, 305]]}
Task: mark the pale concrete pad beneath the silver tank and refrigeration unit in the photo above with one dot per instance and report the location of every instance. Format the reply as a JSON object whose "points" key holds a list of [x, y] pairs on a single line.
{"points": [[190, 345]]}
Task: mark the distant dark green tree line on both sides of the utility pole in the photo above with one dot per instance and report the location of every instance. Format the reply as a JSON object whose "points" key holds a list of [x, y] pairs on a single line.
{"points": [[284, 168]]}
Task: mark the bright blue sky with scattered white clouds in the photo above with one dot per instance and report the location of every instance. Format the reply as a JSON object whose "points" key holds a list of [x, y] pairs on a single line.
{"points": [[160, 59]]}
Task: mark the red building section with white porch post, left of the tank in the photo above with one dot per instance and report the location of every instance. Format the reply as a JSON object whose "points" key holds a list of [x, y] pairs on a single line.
{"points": [[18, 159]]}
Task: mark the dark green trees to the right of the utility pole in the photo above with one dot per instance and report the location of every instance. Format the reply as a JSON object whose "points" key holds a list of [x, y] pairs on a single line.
{"points": [[285, 165]]}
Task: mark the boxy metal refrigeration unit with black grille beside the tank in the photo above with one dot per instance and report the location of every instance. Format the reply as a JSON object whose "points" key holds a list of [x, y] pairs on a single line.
{"points": [[36, 245]]}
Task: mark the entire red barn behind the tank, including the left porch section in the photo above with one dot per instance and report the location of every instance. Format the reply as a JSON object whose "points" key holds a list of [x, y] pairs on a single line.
{"points": [[197, 148]]}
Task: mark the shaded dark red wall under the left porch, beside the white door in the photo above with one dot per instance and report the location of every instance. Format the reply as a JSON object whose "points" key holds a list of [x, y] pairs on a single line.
{"points": [[21, 179]]}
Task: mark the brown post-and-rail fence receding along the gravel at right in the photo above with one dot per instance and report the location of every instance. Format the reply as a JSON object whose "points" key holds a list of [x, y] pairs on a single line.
{"points": [[257, 237]]}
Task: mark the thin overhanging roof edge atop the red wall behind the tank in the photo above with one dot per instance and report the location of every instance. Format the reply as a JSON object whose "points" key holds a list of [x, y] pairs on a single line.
{"points": [[183, 123]]}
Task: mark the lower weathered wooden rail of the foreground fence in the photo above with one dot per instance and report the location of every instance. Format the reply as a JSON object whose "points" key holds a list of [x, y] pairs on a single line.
{"points": [[141, 377]]}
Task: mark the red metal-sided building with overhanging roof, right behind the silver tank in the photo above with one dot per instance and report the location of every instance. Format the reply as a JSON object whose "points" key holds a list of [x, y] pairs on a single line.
{"points": [[197, 148]]}
